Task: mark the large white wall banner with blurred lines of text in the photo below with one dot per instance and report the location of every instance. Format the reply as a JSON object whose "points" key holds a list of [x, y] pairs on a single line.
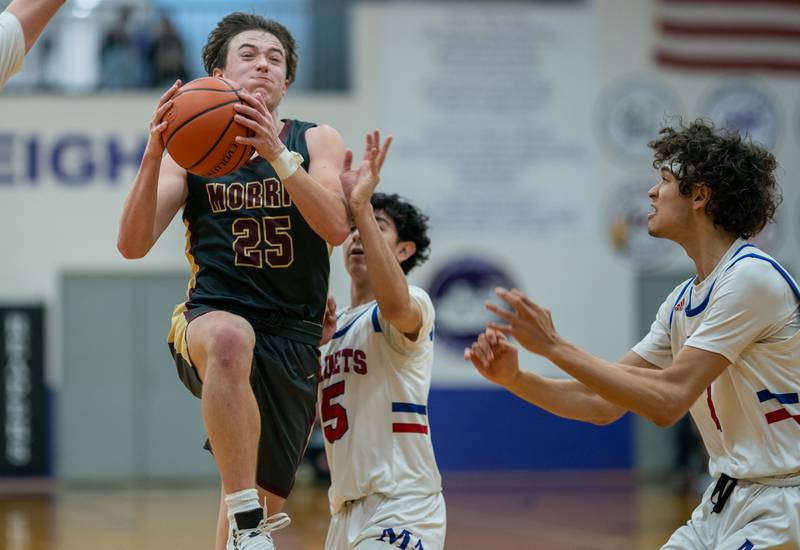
{"points": [[492, 107]]}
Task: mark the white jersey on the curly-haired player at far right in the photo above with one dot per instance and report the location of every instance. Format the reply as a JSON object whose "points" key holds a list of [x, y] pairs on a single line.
{"points": [[747, 311]]}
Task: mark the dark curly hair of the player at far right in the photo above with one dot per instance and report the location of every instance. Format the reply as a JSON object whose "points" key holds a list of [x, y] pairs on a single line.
{"points": [[740, 174]]}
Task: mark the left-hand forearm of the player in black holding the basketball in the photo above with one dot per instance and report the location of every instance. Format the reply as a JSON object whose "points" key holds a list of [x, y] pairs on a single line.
{"points": [[136, 225]]}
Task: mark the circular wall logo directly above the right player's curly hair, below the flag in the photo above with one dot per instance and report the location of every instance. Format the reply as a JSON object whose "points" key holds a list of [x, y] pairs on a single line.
{"points": [[747, 108]]}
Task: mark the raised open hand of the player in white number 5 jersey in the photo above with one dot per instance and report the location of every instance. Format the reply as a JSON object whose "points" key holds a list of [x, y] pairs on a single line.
{"points": [[359, 183]]}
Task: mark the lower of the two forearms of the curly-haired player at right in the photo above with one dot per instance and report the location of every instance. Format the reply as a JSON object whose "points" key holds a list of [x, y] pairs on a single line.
{"points": [[565, 398]]}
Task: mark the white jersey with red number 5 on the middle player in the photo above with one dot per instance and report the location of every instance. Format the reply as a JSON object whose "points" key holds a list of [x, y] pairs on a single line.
{"points": [[373, 397]]}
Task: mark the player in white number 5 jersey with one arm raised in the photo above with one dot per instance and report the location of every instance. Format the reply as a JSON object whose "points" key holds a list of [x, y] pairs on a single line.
{"points": [[374, 379]]}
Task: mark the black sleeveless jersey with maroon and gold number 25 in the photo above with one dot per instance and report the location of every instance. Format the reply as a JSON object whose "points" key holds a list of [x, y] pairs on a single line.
{"points": [[251, 251]]}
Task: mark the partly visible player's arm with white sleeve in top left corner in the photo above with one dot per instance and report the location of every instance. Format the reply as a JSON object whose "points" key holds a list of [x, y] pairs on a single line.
{"points": [[20, 25]]}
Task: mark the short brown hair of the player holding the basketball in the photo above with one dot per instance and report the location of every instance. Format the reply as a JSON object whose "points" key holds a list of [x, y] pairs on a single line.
{"points": [[215, 52]]}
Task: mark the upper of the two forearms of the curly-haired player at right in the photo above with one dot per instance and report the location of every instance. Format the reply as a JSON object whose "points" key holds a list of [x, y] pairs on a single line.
{"points": [[646, 392]]}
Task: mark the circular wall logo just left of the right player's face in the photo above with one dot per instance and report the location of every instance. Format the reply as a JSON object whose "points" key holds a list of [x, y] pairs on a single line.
{"points": [[627, 210]]}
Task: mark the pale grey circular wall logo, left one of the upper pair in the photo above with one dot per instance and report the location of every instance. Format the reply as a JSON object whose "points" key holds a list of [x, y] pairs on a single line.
{"points": [[631, 113]]}
